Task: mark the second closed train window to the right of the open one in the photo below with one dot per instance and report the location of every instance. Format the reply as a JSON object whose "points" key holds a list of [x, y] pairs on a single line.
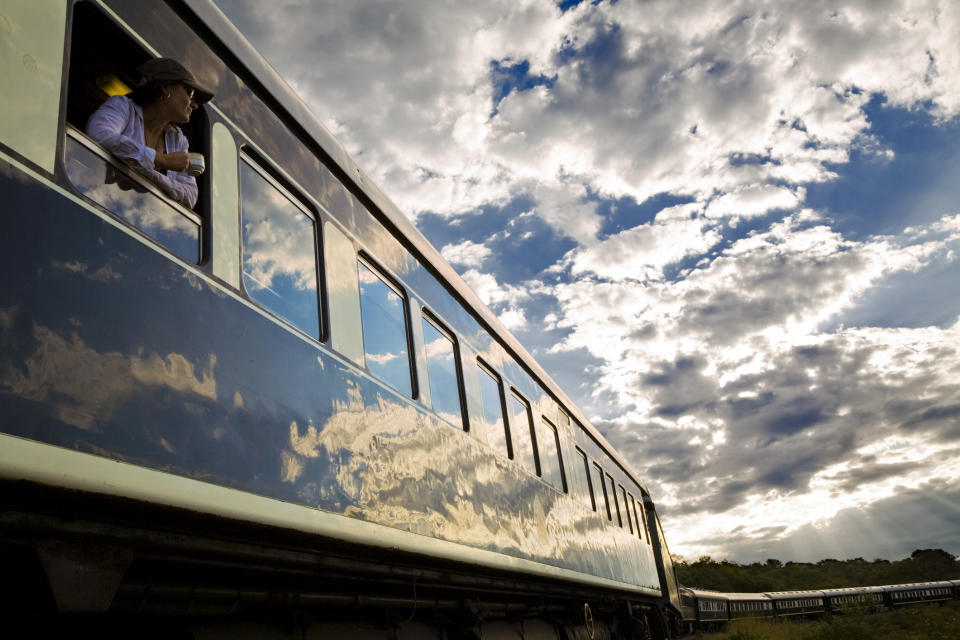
{"points": [[385, 343]]}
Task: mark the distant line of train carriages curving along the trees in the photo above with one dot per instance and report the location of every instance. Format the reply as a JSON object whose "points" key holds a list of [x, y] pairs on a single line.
{"points": [[704, 610]]}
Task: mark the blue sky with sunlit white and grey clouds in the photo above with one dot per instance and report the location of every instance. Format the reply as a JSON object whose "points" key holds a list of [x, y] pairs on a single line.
{"points": [[728, 230]]}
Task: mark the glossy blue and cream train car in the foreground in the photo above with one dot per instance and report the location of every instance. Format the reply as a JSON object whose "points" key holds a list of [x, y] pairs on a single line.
{"points": [[280, 404]]}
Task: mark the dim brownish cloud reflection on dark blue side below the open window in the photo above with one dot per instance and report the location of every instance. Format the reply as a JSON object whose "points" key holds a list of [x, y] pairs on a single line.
{"points": [[83, 387]]}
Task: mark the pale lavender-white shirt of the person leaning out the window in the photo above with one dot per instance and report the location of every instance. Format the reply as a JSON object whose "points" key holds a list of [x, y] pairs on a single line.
{"points": [[118, 126]]}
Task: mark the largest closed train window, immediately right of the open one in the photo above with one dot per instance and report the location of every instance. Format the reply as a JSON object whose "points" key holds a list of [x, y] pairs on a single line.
{"points": [[279, 250]]}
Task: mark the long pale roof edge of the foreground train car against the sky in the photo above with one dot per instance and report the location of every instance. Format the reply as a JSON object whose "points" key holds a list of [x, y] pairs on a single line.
{"points": [[271, 81]]}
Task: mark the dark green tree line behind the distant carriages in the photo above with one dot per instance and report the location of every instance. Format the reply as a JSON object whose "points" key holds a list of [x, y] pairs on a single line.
{"points": [[923, 565]]}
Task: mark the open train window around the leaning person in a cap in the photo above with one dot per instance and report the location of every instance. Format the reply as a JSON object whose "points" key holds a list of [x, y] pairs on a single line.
{"points": [[103, 62]]}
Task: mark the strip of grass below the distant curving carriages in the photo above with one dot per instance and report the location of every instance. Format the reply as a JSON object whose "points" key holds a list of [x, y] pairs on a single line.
{"points": [[914, 623]]}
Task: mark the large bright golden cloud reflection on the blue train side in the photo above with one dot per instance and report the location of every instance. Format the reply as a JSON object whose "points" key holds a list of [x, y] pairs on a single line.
{"points": [[386, 461]]}
